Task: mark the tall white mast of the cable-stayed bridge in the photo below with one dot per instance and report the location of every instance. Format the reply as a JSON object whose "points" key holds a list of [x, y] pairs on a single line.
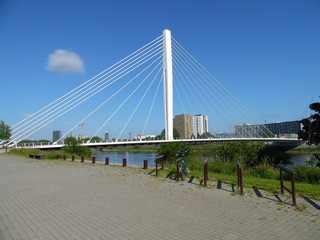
{"points": [[167, 83]]}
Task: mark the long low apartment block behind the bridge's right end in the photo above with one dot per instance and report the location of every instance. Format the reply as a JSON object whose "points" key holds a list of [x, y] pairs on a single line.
{"points": [[288, 129]]}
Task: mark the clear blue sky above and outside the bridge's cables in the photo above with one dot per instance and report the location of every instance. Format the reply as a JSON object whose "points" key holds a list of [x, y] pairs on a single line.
{"points": [[267, 53]]}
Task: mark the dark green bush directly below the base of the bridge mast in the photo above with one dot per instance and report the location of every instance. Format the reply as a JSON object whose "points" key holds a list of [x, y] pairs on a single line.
{"points": [[171, 150]]}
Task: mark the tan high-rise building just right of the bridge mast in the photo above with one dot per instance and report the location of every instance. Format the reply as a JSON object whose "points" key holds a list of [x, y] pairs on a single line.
{"points": [[184, 124]]}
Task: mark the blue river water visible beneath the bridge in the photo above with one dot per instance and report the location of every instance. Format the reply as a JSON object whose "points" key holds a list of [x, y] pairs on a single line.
{"points": [[137, 158]]}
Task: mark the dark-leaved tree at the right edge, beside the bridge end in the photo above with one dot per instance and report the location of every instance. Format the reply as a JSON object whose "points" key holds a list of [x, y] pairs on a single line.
{"points": [[311, 126]]}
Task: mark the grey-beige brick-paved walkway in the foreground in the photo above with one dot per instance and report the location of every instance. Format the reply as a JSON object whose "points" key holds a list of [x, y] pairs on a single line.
{"points": [[42, 199]]}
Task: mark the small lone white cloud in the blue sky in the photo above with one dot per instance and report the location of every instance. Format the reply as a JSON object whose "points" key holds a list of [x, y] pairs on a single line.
{"points": [[64, 61]]}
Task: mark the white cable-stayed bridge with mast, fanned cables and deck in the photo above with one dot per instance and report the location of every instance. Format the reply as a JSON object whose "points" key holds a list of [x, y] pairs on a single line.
{"points": [[144, 91]]}
